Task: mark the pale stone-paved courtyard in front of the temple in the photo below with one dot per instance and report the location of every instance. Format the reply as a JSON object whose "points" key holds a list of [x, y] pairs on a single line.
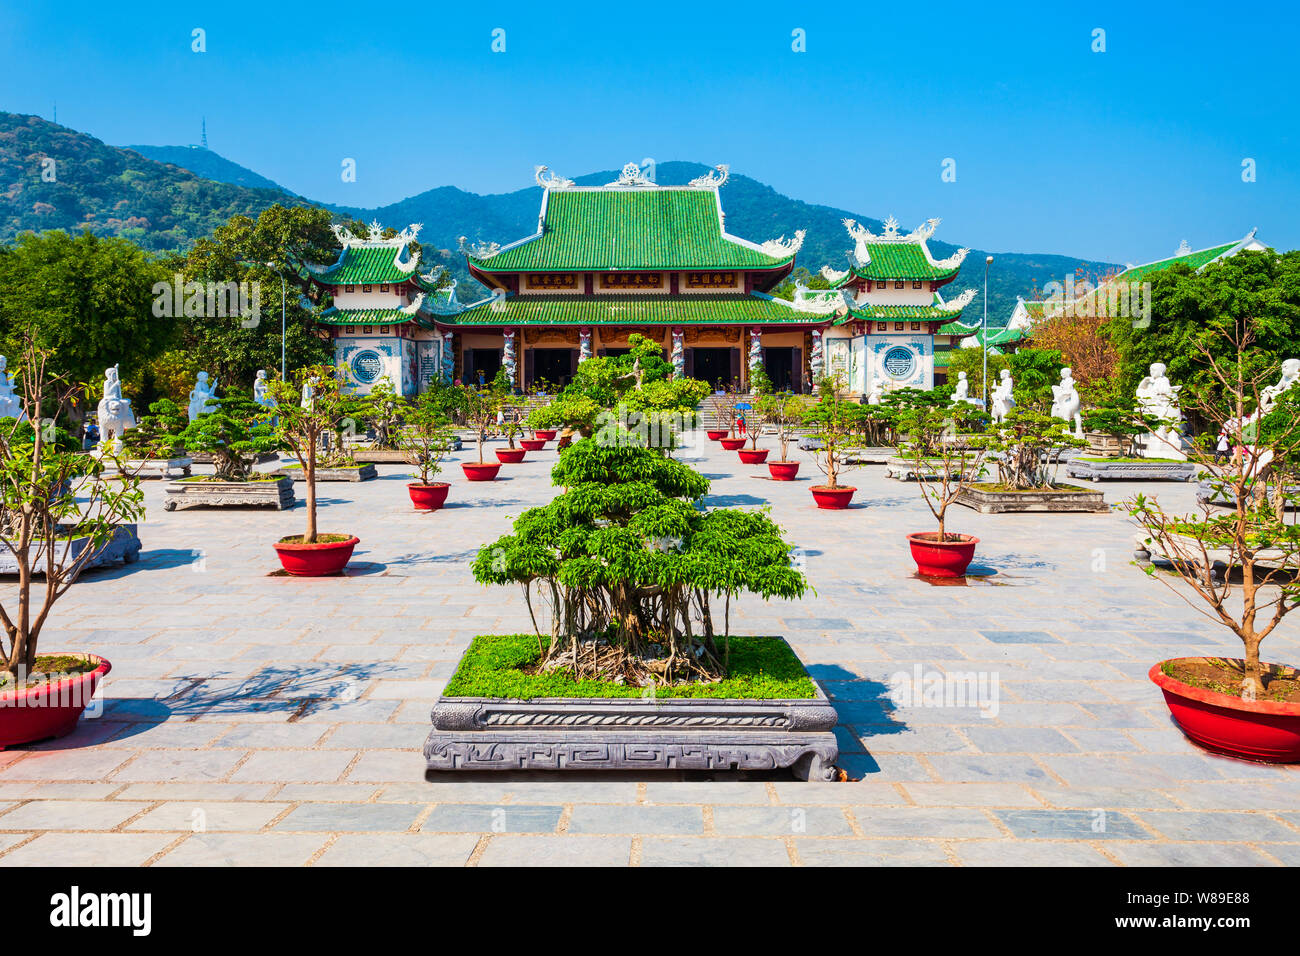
{"points": [[261, 720]]}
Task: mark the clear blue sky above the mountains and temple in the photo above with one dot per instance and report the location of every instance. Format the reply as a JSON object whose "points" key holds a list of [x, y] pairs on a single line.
{"points": [[1113, 155]]}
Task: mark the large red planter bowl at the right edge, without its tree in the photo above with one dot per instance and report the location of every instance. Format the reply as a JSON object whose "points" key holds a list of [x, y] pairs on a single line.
{"points": [[1255, 730]]}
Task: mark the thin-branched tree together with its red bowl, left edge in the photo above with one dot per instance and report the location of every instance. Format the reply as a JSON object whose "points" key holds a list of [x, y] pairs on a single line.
{"points": [[59, 516]]}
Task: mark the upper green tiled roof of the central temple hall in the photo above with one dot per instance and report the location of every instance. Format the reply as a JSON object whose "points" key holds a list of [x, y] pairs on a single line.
{"points": [[647, 230]]}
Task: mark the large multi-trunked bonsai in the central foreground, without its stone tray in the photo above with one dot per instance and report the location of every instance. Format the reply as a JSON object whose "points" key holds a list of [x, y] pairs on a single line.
{"points": [[631, 566]]}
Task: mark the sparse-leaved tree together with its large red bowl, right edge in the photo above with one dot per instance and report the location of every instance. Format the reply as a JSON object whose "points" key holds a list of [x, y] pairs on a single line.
{"points": [[1237, 566]]}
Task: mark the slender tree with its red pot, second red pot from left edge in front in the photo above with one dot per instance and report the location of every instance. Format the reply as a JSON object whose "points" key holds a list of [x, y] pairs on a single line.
{"points": [[309, 409]]}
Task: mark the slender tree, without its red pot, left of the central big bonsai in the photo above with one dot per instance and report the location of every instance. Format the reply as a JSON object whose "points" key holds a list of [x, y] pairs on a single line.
{"points": [[309, 408]]}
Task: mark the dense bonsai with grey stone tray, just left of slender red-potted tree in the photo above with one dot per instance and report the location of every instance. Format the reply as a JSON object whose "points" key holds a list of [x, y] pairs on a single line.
{"points": [[236, 434]]}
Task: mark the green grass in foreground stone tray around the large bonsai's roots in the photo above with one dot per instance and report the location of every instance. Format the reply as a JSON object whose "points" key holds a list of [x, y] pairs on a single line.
{"points": [[495, 667]]}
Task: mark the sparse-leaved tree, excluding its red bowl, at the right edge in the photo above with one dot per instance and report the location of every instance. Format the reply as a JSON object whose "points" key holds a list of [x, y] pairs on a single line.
{"points": [[1253, 535]]}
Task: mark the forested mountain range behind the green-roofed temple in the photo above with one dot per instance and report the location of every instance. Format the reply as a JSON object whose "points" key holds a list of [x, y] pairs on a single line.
{"points": [[163, 198]]}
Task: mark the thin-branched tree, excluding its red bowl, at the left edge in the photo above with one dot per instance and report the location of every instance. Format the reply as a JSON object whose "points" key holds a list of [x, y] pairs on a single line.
{"points": [[54, 498]]}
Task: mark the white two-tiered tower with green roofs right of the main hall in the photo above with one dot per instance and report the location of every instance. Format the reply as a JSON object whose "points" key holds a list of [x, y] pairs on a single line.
{"points": [[887, 339]]}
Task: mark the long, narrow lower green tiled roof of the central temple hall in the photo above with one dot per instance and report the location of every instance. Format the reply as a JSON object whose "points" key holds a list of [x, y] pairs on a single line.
{"points": [[632, 310]]}
